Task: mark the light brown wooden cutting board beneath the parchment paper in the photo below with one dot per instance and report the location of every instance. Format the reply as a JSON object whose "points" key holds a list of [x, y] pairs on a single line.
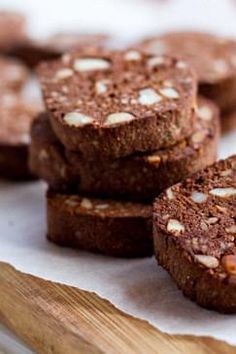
{"points": [[53, 318]]}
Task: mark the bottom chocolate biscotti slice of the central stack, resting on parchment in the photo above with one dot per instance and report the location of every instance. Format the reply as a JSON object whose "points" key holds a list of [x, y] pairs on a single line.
{"points": [[120, 229]]}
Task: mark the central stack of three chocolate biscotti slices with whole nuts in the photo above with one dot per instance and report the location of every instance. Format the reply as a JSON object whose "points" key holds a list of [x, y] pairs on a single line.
{"points": [[119, 128]]}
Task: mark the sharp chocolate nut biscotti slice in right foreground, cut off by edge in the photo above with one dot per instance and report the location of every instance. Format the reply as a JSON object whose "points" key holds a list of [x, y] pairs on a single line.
{"points": [[194, 235]]}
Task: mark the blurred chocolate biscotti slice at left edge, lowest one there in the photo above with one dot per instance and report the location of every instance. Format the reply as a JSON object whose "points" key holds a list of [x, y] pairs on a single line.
{"points": [[15, 119]]}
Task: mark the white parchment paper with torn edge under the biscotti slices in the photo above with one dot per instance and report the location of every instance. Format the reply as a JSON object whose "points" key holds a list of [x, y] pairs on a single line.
{"points": [[139, 287]]}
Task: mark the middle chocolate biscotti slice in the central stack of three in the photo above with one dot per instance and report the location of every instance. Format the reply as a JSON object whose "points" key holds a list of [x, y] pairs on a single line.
{"points": [[135, 177]]}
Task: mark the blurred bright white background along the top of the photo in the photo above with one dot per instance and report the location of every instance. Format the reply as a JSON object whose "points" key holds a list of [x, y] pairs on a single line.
{"points": [[127, 17]]}
